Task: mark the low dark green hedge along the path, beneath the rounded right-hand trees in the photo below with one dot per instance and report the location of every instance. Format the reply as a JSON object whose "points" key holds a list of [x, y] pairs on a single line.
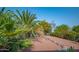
{"points": [[72, 35]]}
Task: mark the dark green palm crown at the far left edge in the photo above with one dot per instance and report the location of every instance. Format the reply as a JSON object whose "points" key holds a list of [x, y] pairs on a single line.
{"points": [[6, 20]]}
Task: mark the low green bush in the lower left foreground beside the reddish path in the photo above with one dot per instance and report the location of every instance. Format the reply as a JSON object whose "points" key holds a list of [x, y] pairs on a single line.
{"points": [[18, 45]]}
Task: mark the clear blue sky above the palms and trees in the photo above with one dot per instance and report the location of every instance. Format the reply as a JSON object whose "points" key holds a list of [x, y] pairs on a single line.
{"points": [[58, 15]]}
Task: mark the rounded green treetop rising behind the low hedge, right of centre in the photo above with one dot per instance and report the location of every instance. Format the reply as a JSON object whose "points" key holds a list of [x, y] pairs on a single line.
{"points": [[61, 30]]}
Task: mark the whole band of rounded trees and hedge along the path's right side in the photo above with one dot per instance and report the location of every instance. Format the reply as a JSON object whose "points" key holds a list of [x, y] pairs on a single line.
{"points": [[63, 31]]}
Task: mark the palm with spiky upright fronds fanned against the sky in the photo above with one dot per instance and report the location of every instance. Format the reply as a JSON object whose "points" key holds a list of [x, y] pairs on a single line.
{"points": [[26, 20]]}
